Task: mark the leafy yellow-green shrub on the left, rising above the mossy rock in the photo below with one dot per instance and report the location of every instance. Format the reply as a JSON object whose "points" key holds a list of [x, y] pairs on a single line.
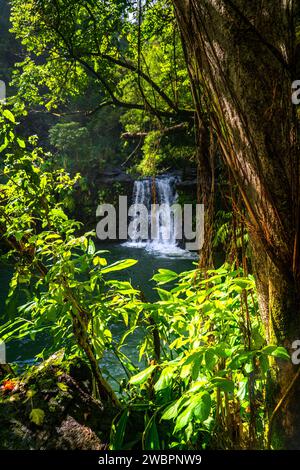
{"points": [[59, 270]]}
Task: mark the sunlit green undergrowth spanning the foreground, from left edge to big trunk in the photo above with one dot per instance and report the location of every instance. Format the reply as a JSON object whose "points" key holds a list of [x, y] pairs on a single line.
{"points": [[207, 362]]}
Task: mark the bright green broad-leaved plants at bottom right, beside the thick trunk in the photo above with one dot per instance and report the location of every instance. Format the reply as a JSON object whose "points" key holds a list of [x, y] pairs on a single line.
{"points": [[209, 387]]}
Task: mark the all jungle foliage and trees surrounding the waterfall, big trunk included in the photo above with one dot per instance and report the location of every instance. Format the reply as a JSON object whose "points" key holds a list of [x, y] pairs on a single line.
{"points": [[154, 85]]}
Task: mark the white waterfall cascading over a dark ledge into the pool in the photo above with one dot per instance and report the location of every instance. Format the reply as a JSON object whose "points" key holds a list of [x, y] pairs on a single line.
{"points": [[161, 239]]}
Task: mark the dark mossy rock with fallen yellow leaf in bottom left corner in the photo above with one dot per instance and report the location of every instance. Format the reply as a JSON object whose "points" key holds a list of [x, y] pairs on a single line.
{"points": [[51, 406]]}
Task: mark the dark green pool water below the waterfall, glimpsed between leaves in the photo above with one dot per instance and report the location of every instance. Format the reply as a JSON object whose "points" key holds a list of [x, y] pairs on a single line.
{"points": [[24, 351]]}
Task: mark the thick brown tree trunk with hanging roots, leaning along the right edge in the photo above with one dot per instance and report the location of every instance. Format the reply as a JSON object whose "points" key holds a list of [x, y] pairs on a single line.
{"points": [[243, 58]]}
